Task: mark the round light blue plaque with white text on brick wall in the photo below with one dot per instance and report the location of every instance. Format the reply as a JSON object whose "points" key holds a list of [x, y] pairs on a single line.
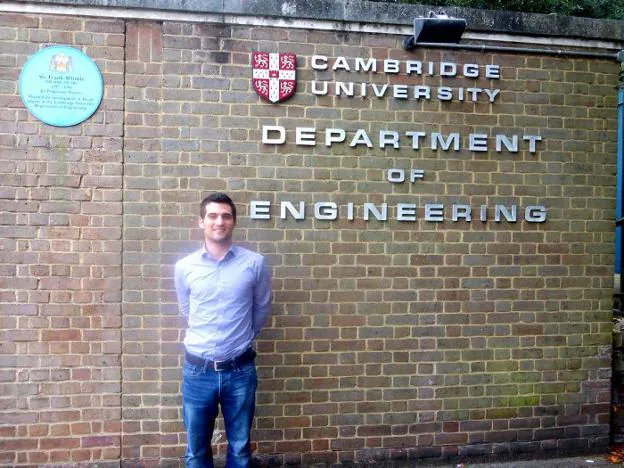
{"points": [[61, 86]]}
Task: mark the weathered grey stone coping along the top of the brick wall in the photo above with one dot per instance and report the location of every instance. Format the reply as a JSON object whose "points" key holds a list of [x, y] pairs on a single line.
{"points": [[356, 11]]}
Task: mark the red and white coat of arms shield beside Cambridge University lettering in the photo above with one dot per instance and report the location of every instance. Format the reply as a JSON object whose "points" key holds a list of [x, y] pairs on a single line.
{"points": [[274, 75]]}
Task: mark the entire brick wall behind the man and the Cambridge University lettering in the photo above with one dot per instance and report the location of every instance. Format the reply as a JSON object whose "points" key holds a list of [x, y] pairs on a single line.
{"points": [[387, 339]]}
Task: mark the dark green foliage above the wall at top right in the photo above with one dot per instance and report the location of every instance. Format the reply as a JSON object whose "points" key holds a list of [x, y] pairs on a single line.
{"points": [[611, 9]]}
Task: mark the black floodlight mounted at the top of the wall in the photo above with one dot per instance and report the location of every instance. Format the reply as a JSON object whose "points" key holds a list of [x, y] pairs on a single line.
{"points": [[437, 28]]}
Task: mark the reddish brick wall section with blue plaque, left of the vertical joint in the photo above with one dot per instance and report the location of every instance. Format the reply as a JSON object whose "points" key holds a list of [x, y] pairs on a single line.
{"points": [[61, 230]]}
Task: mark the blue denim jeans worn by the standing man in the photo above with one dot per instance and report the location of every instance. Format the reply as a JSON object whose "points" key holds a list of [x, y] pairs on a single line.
{"points": [[202, 392]]}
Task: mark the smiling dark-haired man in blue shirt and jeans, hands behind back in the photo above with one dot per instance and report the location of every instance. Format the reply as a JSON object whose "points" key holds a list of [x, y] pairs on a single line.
{"points": [[224, 292]]}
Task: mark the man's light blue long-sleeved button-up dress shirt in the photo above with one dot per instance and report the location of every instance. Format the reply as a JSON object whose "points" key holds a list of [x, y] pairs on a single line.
{"points": [[225, 302]]}
